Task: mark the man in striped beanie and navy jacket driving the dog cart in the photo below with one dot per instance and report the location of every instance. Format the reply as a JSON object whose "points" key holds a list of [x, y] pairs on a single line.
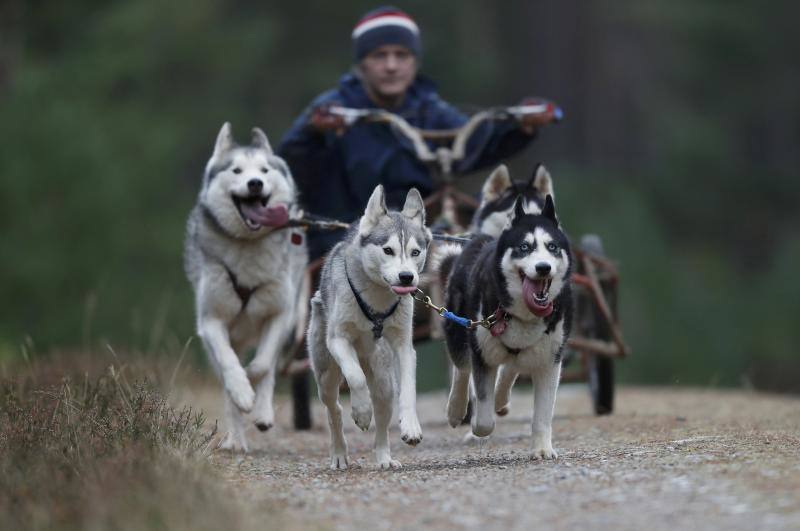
{"points": [[337, 170]]}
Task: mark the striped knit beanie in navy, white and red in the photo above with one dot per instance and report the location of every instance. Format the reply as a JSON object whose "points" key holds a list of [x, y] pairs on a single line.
{"points": [[385, 25]]}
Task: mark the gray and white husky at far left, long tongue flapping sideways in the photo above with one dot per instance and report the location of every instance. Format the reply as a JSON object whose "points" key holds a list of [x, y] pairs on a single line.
{"points": [[247, 276]]}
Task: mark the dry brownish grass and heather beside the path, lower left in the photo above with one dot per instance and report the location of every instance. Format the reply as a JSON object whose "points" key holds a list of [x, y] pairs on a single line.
{"points": [[91, 448]]}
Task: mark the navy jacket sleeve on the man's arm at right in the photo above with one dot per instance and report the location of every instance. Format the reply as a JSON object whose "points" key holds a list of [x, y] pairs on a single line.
{"points": [[490, 144]]}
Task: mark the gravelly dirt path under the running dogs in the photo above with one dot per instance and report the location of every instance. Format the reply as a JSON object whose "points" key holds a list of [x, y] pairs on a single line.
{"points": [[667, 459]]}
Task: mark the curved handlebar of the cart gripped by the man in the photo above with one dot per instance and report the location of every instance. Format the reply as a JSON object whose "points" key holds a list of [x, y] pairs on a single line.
{"points": [[340, 118]]}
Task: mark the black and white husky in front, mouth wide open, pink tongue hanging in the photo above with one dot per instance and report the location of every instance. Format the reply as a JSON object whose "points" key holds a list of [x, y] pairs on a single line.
{"points": [[522, 278]]}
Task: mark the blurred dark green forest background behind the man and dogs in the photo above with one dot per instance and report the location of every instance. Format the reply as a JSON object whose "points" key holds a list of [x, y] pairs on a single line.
{"points": [[680, 147]]}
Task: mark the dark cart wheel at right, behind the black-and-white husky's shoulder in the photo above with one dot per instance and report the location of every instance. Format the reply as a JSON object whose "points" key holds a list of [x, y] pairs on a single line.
{"points": [[600, 368]]}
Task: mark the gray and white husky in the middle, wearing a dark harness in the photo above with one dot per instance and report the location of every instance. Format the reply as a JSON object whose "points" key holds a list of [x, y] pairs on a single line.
{"points": [[361, 319]]}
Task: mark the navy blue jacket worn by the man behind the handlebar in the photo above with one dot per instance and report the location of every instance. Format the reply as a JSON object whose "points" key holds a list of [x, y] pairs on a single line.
{"points": [[337, 174]]}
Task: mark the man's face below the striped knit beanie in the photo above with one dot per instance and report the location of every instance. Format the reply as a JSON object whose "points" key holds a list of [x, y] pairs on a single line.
{"points": [[389, 70]]}
